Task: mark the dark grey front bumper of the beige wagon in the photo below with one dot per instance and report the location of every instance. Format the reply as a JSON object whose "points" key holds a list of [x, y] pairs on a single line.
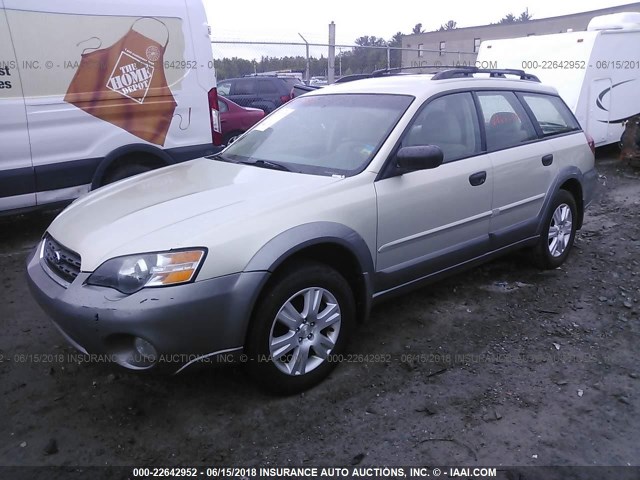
{"points": [[182, 322]]}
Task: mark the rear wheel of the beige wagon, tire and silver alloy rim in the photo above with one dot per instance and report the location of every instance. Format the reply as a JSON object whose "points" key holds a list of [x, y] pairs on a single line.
{"points": [[558, 232]]}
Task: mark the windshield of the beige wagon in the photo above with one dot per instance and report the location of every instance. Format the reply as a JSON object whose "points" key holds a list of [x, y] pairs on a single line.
{"points": [[322, 134]]}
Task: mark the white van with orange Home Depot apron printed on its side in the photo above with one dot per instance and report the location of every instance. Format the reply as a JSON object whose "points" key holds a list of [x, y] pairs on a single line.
{"points": [[92, 92]]}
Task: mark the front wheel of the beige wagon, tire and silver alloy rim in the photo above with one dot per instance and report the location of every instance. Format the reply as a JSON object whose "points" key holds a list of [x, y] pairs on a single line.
{"points": [[289, 350]]}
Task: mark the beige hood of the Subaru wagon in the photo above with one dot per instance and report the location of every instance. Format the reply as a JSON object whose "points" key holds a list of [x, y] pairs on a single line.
{"points": [[171, 207]]}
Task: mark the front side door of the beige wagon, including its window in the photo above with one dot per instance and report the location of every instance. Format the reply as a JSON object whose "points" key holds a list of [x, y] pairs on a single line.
{"points": [[431, 220]]}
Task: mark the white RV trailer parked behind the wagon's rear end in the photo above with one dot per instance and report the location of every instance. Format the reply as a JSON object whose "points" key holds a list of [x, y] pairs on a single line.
{"points": [[596, 72]]}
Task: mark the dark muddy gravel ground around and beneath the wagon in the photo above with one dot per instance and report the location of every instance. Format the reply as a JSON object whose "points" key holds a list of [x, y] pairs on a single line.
{"points": [[502, 365]]}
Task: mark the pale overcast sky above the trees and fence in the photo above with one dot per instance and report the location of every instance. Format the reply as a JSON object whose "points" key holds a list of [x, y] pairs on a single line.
{"points": [[260, 20]]}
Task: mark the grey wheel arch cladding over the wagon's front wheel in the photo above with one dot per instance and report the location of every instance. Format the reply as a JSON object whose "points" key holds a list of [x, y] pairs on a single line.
{"points": [[332, 244]]}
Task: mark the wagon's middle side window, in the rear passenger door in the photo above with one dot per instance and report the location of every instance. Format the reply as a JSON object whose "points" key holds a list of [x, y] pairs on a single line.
{"points": [[506, 122]]}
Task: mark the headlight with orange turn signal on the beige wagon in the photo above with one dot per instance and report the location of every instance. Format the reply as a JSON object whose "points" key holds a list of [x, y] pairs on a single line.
{"points": [[134, 272]]}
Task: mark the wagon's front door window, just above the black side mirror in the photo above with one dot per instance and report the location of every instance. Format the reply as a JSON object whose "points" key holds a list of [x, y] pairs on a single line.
{"points": [[451, 123]]}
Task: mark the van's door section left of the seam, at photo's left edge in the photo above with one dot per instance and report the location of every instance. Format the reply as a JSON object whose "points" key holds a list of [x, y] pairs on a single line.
{"points": [[17, 179]]}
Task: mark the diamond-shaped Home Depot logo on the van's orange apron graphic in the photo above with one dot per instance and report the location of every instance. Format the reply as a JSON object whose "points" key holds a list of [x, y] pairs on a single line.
{"points": [[131, 76]]}
